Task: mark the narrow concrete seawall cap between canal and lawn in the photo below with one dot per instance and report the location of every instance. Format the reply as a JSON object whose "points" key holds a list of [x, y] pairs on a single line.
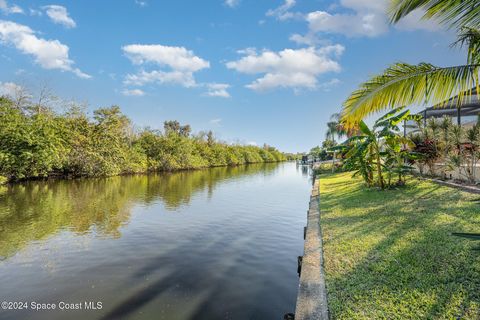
{"points": [[312, 293]]}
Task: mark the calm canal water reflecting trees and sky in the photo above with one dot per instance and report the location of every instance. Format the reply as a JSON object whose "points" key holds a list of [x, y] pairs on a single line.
{"points": [[211, 244]]}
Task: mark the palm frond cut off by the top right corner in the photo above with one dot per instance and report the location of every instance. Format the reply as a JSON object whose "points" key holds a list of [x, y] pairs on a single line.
{"points": [[452, 13]]}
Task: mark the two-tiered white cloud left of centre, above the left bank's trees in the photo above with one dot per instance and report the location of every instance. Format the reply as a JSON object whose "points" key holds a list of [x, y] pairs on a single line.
{"points": [[181, 64]]}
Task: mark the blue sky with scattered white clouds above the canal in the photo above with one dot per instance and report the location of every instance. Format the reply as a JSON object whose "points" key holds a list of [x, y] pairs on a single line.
{"points": [[269, 71]]}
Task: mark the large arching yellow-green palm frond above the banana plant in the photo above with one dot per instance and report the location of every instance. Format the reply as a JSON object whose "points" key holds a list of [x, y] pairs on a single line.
{"points": [[404, 84]]}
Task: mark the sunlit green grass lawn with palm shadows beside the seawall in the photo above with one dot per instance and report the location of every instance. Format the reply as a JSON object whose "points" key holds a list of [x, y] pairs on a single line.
{"points": [[389, 254]]}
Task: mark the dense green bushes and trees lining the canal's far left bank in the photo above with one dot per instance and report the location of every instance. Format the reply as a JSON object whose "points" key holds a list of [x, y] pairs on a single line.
{"points": [[36, 141]]}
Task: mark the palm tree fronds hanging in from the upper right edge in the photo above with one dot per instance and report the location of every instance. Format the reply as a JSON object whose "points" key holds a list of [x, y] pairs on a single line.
{"points": [[405, 84]]}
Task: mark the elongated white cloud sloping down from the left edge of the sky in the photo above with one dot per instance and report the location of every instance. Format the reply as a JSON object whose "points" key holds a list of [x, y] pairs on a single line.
{"points": [[49, 54]]}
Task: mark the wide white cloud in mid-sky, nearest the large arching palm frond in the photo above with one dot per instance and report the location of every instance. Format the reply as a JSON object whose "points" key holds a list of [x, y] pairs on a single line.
{"points": [[289, 68]]}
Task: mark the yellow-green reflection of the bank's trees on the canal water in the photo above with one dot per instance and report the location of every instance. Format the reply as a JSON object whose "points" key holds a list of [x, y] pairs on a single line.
{"points": [[35, 210]]}
